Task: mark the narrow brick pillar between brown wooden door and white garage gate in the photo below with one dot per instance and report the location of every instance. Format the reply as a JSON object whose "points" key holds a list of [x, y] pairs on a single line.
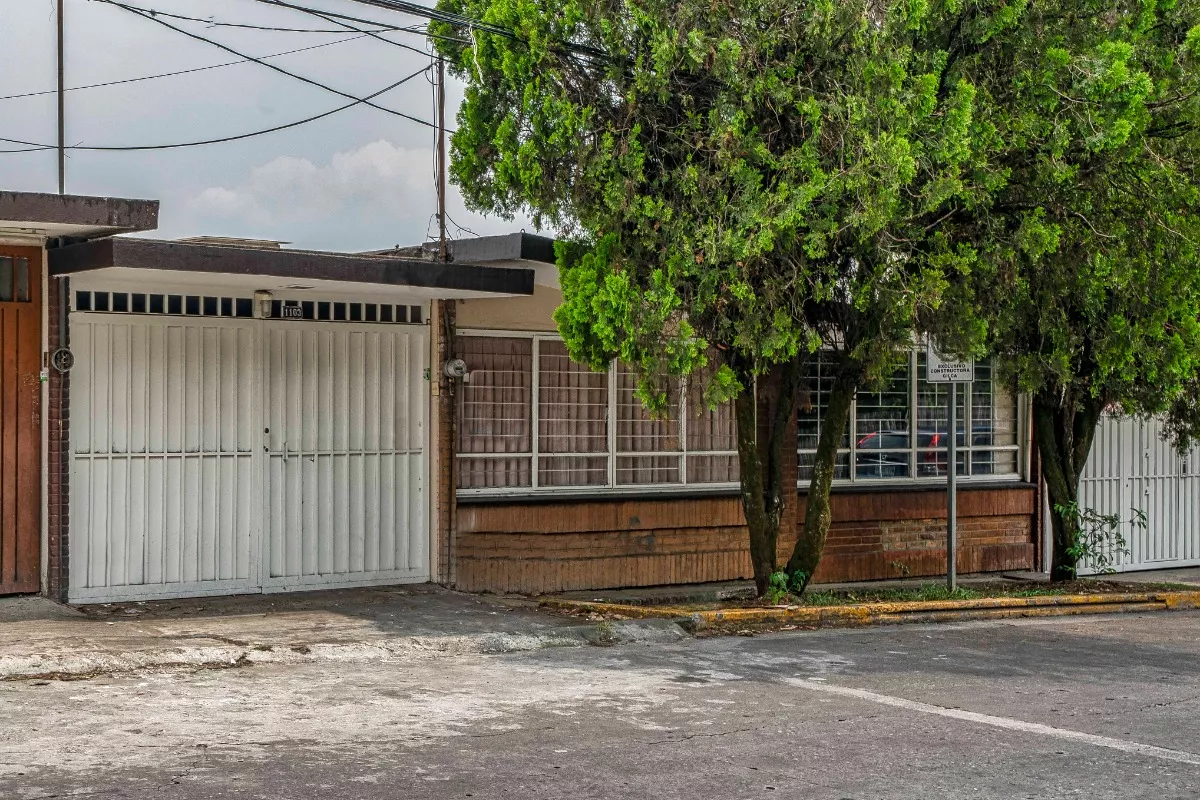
{"points": [[58, 419]]}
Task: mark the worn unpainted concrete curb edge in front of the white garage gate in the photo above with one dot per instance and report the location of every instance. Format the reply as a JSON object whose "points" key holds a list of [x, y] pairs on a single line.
{"points": [[178, 655]]}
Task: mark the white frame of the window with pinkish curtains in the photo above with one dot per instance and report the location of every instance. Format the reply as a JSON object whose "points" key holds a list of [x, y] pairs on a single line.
{"points": [[611, 454]]}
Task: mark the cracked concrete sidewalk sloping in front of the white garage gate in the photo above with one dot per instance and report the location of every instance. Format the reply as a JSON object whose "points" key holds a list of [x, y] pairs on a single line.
{"points": [[43, 639]]}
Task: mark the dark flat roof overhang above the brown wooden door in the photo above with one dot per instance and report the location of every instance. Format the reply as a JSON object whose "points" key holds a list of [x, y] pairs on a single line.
{"points": [[76, 216]]}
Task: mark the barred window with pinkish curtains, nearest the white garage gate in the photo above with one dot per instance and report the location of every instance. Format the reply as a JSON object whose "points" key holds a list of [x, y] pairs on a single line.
{"points": [[532, 420]]}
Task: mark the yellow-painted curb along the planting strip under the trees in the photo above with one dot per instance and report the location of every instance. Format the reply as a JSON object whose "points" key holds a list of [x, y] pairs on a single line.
{"points": [[859, 615]]}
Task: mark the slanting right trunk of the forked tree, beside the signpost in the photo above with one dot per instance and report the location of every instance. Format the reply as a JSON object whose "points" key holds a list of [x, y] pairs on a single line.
{"points": [[818, 515]]}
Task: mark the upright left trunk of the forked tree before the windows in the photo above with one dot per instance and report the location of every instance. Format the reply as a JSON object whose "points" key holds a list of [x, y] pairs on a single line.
{"points": [[760, 459]]}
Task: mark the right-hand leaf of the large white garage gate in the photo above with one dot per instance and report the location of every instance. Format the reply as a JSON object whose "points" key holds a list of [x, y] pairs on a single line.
{"points": [[346, 455]]}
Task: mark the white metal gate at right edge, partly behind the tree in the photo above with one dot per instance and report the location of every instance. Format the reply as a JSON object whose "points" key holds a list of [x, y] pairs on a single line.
{"points": [[1133, 468]]}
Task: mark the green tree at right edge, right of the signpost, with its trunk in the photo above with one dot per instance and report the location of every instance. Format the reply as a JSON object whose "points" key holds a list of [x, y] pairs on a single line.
{"points": [[1084, 267]]}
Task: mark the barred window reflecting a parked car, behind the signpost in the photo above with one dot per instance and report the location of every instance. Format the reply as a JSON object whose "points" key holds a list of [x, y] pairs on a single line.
{"points": [[901, 429]]}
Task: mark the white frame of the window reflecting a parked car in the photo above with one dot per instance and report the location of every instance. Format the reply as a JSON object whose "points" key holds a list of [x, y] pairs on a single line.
{"points": [[967, 450]]}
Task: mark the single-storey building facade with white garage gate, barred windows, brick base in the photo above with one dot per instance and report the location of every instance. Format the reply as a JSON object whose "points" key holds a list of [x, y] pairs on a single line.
{"points": [[226, 417]]}
